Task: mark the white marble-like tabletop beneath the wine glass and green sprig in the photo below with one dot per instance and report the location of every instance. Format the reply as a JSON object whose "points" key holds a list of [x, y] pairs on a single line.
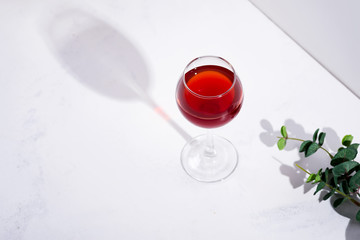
{"points": [[85, 154]]}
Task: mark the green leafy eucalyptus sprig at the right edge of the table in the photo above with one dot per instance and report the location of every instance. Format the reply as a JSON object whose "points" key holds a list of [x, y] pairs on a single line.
{"points": [[343, 178]]}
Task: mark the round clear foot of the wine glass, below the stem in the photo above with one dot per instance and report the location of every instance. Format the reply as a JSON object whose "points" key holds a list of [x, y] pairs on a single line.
{"points": [[205, 167]]}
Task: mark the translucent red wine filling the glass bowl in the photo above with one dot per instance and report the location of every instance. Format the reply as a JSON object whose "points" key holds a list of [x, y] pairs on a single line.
{"points": [[210, 97]]}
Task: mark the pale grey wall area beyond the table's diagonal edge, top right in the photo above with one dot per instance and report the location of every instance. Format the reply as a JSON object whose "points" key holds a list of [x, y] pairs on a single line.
{"points": [[327, 29]]}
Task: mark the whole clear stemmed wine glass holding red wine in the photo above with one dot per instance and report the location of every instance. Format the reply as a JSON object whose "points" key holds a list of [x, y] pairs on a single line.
{"points": [[209, 94]]}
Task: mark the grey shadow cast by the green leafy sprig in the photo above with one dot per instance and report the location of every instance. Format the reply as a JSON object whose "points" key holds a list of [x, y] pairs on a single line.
{"points": [[297, 177]]}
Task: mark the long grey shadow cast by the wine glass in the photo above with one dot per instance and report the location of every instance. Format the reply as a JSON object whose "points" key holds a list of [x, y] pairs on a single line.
{"points": [[102, 59]]}
